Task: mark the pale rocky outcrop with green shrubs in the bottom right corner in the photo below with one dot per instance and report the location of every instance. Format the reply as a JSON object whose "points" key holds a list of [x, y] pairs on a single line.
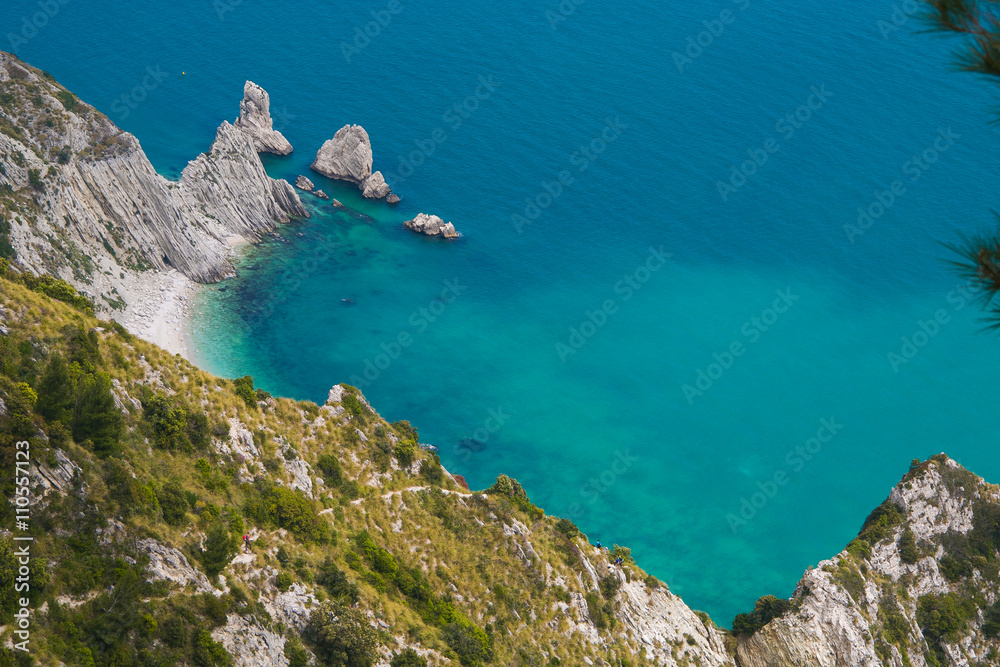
{"points": [[918, 587]]}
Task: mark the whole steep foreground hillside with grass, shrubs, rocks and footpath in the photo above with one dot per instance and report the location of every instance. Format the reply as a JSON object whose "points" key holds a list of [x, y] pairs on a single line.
{"points": [[147, 471]]}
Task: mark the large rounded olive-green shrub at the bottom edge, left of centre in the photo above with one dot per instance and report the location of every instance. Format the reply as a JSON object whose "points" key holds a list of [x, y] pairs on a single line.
{"points": [[342, 636]]}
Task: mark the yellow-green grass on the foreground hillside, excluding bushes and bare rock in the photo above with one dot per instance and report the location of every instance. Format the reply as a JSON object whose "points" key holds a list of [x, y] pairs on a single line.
{"points": [[457, 542]]}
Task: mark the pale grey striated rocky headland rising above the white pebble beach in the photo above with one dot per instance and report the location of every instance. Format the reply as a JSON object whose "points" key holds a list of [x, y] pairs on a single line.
{"points": [[84, 203]]}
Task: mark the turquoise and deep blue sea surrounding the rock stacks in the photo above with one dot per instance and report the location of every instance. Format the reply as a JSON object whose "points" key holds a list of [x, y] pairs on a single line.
{"points": [[556, 346]]}
